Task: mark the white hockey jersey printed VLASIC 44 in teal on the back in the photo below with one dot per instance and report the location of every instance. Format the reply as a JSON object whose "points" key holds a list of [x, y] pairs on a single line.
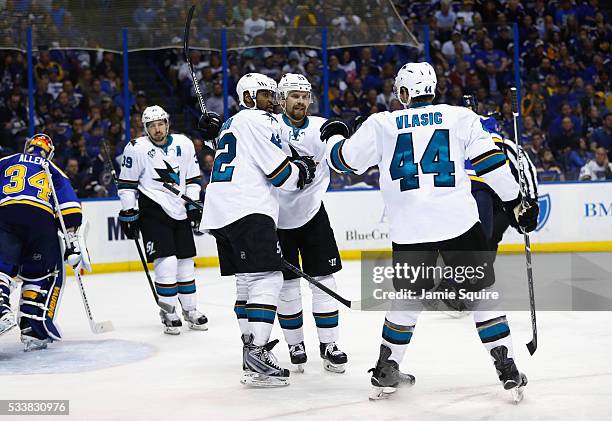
{"points": [[420, 152]]}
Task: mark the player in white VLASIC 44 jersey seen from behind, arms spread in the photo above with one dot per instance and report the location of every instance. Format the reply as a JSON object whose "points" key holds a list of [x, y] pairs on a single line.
{"points": [[420, 152]]}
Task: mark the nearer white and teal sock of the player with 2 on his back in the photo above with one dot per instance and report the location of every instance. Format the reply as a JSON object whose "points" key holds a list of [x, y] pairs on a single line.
{"points": [[264, 289]]}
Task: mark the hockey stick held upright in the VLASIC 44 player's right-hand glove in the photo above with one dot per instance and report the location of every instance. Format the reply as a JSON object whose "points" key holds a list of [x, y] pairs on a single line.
{"points": [[531, 346]]}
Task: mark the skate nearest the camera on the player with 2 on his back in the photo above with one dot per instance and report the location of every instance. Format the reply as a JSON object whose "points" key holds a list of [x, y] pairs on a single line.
{"points": [[263, 370]]}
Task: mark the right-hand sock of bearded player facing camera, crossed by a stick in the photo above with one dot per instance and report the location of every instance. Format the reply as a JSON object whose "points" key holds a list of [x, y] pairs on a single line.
{"points": [[325, 310]]}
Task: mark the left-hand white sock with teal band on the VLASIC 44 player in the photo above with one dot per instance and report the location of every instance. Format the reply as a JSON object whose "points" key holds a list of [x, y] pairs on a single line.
{"points": [[397, 332]]}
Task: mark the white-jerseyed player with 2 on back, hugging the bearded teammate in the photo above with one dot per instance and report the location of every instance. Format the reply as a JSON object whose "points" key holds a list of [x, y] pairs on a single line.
{"points": [[241, 212]]}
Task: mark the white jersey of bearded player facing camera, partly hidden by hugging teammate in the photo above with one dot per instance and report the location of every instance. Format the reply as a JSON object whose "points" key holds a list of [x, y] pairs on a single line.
{"points": [[299, 207]]}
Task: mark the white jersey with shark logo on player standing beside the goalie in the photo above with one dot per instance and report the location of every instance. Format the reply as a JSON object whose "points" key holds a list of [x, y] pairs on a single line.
{"points": [[146, 166]]}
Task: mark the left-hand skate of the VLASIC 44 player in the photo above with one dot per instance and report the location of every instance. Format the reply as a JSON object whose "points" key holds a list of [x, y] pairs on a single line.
{"points": [[386, 377]]}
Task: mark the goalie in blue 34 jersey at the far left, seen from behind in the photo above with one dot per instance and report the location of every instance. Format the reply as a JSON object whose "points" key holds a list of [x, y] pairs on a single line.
{"points": [[30, 247]]}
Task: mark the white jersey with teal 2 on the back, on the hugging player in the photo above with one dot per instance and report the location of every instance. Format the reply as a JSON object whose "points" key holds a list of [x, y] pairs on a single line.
{"points": [[249, 166]]}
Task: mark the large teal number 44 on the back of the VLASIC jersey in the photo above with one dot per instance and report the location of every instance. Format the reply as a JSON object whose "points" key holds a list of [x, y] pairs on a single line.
{"points": [[435, 160]]}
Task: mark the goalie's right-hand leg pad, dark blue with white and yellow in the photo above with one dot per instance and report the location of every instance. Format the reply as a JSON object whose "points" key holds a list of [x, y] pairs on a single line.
{"points": [[39, 305]]}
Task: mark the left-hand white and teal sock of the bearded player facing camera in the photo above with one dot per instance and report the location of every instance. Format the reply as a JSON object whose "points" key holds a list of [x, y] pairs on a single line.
{"points": [[290, 312]]}
